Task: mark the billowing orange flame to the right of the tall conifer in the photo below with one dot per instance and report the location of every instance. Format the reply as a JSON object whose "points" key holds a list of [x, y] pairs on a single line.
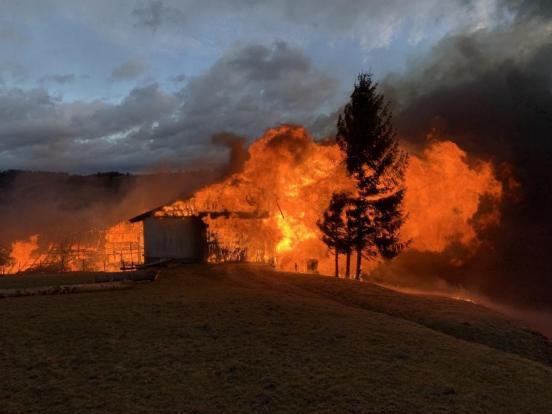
{"points": [[443, 195]]}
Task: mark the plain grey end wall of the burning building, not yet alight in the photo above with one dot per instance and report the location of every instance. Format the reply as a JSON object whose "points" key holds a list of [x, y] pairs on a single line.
{"points": [[183, 239]]}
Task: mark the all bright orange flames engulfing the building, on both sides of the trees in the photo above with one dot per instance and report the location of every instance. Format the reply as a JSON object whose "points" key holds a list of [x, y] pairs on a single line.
{"points": [[273, 205]]}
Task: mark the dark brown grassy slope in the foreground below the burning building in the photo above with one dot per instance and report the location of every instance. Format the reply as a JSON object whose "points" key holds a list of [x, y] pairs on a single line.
{"points": [[241, 338]]}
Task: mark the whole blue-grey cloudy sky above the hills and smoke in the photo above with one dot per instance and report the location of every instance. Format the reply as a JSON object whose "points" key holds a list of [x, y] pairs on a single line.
{"points": [[127, 85]]}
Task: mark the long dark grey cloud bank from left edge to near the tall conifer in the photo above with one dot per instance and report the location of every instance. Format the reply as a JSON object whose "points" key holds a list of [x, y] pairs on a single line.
{"points": [[247, 90]]}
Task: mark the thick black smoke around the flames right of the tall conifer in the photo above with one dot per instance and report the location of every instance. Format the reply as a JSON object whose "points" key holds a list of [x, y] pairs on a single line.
{"points": [[491, 92]]}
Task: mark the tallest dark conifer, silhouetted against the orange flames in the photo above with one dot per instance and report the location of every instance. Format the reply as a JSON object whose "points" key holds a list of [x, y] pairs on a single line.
{"points": [[366, 135]]}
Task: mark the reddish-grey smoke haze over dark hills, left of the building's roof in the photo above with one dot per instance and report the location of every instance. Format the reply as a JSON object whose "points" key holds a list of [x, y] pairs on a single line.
{"points": [[72, 205]]}
